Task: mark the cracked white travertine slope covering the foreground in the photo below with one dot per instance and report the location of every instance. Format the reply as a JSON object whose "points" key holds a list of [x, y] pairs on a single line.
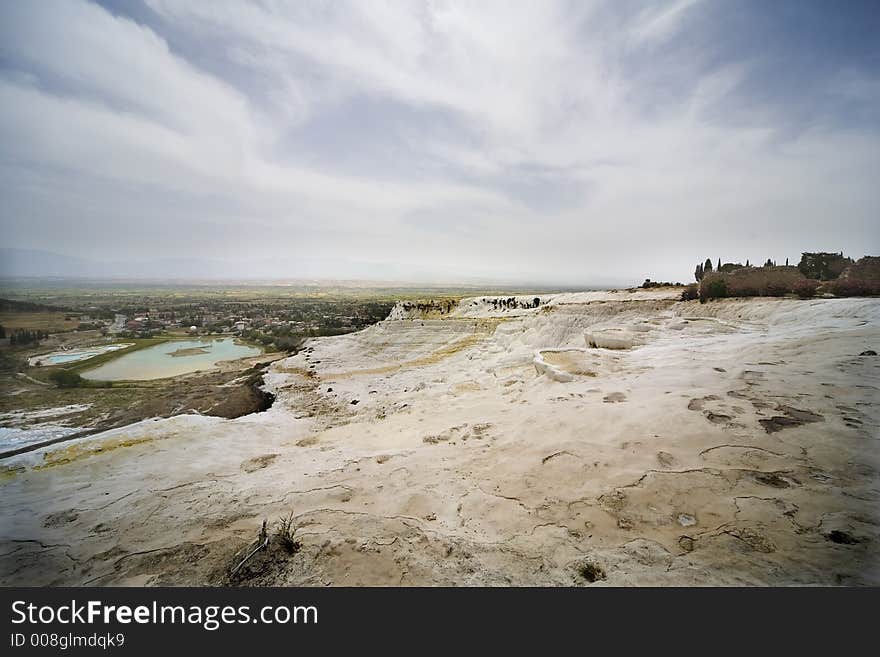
{"points": [[735, 443]]}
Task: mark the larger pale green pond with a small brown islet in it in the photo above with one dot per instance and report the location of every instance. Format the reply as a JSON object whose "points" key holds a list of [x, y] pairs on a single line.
{"points": [[170, 359]]}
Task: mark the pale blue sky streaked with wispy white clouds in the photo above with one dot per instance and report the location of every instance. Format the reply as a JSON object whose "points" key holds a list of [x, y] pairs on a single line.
{"points": [[566, 142]]}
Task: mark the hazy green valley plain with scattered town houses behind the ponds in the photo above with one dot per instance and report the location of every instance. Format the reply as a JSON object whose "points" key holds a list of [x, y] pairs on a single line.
{"points": [[276, 319]]}
